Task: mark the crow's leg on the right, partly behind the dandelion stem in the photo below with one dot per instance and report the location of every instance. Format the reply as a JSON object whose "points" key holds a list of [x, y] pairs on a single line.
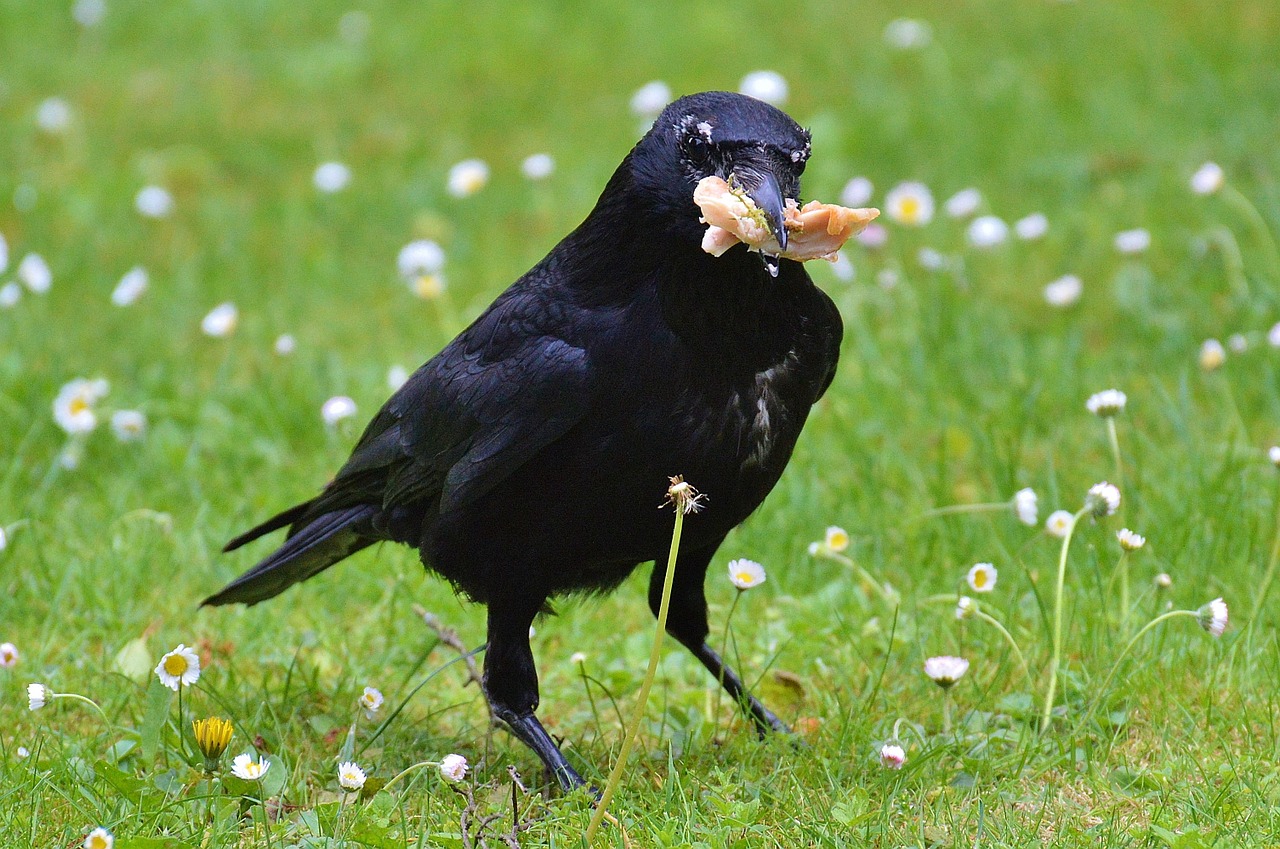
{"points": [[687, 622]]}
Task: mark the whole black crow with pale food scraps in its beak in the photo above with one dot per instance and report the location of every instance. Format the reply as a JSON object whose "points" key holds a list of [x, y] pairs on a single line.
{"points": [[529, 458]]}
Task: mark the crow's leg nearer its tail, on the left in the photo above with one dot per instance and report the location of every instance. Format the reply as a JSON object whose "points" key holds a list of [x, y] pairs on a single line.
{"points": [[511, 686]]}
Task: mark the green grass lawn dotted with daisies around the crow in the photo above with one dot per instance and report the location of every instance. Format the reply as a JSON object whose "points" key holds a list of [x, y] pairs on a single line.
{"points": [[956, 387]]}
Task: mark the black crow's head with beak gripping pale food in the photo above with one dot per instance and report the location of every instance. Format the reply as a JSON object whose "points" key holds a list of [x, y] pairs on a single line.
{"points": [[740, 139]]}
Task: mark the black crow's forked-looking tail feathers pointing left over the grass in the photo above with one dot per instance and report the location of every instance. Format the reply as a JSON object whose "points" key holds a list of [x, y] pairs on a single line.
{"points": [[309, 551]]}
